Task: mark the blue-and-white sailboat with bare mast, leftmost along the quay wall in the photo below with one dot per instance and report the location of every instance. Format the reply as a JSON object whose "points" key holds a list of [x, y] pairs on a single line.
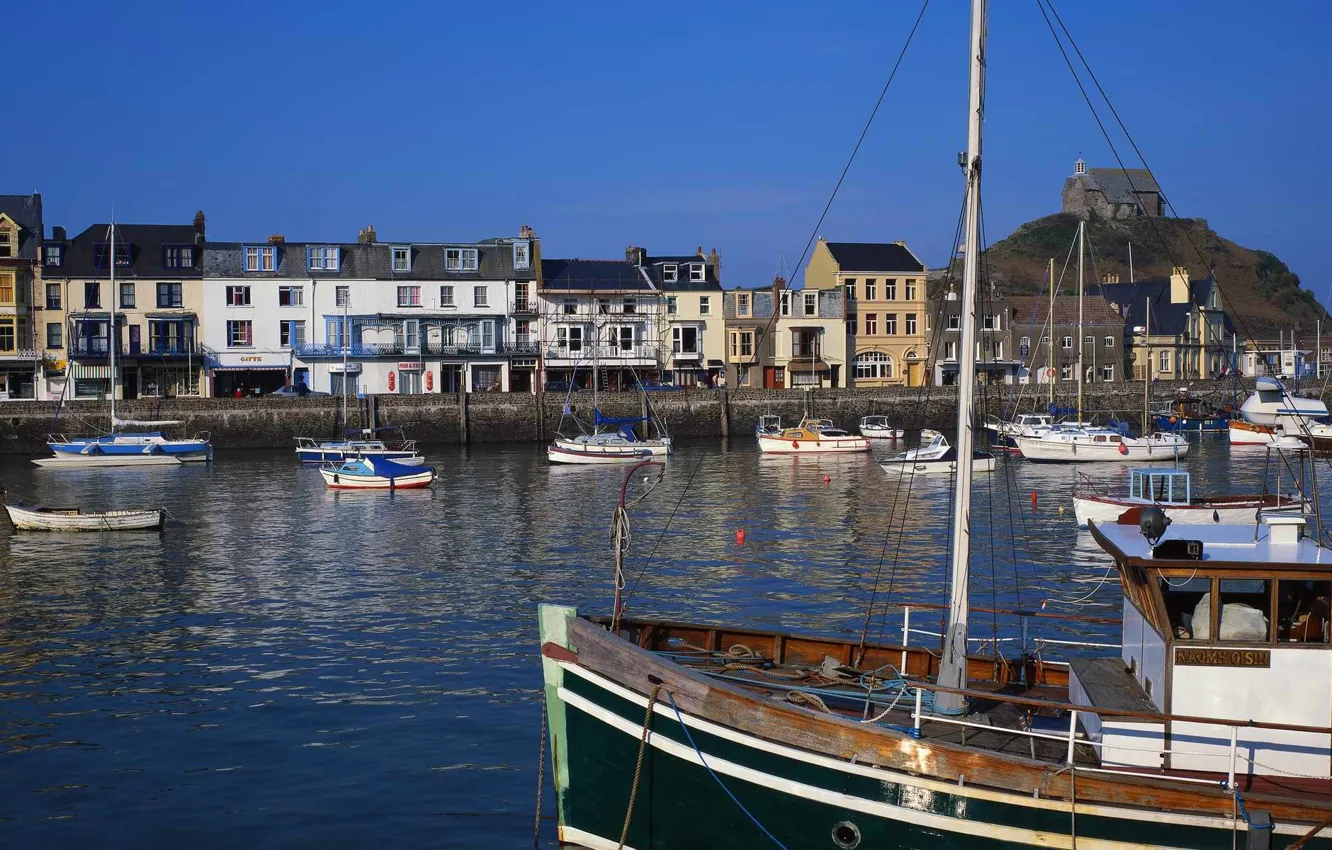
{"points": [[122, 448]]}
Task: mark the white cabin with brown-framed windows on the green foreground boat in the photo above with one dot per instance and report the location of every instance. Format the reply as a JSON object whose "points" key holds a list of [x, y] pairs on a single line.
{"points": [[1221, 622]]}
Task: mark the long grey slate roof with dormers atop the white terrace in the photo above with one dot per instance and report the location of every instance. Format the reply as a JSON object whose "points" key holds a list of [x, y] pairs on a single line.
{"points": [[368, 262]]}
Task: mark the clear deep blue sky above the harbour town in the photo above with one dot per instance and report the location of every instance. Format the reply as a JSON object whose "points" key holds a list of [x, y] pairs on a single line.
{"points": [[665, 126]]}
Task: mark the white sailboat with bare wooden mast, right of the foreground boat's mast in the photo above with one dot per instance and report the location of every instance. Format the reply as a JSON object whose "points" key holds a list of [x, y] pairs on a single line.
{"points": [[1080, 442]]}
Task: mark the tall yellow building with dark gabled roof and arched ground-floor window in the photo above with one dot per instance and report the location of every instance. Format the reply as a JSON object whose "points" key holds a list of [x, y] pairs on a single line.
{"points": [[885, 298]]}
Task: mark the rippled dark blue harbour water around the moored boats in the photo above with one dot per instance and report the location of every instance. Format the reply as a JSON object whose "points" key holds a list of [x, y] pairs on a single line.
{"points": [[290, 667]]}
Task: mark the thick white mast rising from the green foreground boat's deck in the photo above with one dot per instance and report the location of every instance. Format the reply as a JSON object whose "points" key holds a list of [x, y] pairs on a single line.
{"points": [[953, 668]]}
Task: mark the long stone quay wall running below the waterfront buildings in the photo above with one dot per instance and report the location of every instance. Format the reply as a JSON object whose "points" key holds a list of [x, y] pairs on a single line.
{"points": [[268, 423]]}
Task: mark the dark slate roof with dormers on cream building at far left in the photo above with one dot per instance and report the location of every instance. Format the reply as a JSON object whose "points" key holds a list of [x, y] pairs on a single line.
{"points": [[146, 252]]}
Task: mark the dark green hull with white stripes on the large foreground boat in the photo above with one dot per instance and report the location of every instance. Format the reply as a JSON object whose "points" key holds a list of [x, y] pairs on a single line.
{"points": [[850, 785]]}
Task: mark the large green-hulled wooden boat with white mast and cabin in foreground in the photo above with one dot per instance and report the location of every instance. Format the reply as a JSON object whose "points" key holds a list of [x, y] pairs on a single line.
{"points": [[681, 735]]}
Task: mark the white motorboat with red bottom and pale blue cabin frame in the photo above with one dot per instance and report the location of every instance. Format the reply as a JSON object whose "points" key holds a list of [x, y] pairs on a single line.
{"points": [[1171, 491]]}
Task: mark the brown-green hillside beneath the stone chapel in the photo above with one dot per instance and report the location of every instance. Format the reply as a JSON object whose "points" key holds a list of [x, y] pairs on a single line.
{"points": [[1259, 292]]}
